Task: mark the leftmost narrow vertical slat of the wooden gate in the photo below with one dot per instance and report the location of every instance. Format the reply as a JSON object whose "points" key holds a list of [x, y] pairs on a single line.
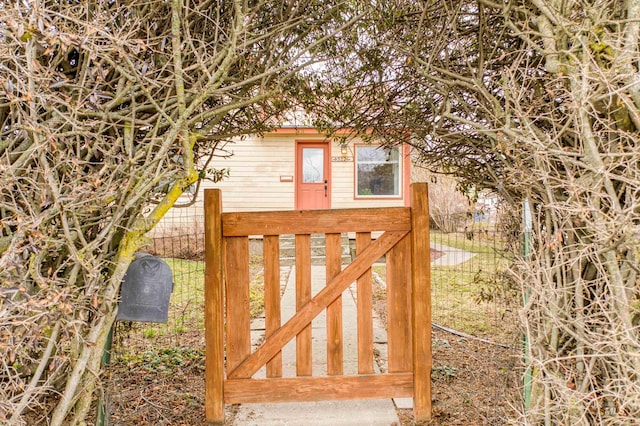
{"points": [[272, 311]]}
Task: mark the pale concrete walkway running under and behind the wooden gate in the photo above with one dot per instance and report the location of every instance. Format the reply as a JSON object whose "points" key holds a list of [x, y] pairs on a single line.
{"points": [[351, 412]]}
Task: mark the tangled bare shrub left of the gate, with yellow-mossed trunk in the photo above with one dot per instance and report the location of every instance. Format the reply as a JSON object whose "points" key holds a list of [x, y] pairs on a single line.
{"points": [[106, 108]]}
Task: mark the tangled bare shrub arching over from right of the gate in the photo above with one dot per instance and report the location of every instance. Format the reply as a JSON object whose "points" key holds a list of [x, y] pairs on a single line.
{"points": [[539, 101]]}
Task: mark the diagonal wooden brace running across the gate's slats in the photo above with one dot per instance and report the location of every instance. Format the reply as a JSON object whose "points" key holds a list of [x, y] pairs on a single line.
{"points": [[308, 312]]}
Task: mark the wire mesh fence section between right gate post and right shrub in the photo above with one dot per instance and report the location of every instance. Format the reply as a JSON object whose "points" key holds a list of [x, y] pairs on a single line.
{"points": [[477, 346]]}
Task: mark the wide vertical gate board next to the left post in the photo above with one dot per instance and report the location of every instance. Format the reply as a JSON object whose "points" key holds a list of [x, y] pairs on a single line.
{"points": [[238, 306]]}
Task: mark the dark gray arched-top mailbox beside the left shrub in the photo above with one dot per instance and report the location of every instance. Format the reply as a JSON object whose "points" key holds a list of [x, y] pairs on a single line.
{"points": [[145, 291]]}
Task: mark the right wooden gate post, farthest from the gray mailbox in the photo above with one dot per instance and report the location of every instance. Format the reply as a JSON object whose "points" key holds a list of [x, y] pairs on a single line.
{"points": [[421, 301]]}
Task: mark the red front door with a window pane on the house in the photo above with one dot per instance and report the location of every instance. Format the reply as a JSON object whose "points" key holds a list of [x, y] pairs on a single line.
{"points": [[313, 186]]}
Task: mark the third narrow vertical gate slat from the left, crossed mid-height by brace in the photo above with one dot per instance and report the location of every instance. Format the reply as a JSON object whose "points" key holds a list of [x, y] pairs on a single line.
{"points": [[335, 346]]}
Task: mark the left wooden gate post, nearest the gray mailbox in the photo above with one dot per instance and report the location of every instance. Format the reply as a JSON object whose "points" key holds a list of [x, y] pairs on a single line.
{"points": [[213, 308]]}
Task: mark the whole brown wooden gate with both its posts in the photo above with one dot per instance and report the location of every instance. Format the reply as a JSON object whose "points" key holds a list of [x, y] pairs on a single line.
{"points": [[404, 241]]}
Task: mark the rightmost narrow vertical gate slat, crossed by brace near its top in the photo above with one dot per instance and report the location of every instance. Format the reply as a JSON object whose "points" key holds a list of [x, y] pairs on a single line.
{"points": [[364, 299]]}
